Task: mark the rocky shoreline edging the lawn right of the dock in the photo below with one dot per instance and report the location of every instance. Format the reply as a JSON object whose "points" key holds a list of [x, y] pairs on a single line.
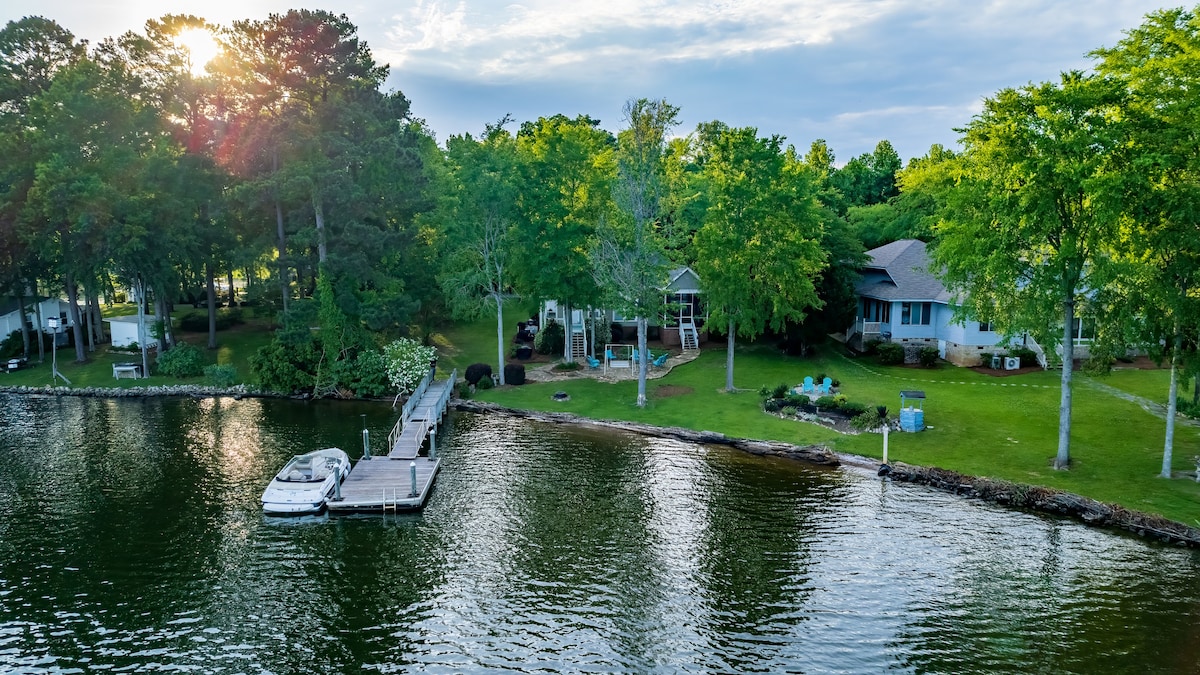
{"points": [[1037, 499]]}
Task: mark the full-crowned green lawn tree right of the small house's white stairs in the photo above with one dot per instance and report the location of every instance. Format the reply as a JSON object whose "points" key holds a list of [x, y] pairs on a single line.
{"points": [[759, 250]]}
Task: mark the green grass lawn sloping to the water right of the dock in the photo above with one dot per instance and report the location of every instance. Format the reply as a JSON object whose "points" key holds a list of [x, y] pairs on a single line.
{"points": [[979, 425]]}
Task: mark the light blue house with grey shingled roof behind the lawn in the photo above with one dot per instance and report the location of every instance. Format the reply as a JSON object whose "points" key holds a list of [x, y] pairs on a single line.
{"points": [[901, 301]]}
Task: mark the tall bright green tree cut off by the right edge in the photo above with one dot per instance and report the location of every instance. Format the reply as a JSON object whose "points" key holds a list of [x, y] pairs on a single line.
{"points": [[1157, 67]]}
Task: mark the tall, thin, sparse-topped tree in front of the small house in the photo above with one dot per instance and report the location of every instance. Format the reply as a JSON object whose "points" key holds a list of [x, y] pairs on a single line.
{"points": [[629, 260]]}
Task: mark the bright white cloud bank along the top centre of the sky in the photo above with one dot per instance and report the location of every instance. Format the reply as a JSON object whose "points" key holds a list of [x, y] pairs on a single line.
{"points": [[548, 39]]}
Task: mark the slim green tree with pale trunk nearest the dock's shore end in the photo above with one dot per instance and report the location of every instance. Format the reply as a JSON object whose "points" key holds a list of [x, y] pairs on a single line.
{"points": [[478, 218]]}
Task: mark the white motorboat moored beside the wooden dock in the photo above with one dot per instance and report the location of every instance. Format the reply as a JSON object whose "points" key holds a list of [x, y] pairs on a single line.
{"points": [[307, 482]]}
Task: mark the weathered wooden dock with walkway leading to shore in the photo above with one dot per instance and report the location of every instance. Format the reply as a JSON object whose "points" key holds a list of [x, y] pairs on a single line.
{"points": [[401, 480]]}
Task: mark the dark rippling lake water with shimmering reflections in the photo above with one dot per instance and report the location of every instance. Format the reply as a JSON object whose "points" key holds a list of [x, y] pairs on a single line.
{"points": [[131, 539]]}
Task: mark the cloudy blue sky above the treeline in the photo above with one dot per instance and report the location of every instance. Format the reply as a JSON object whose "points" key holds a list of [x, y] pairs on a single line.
{"points": [[853, 73]]}
